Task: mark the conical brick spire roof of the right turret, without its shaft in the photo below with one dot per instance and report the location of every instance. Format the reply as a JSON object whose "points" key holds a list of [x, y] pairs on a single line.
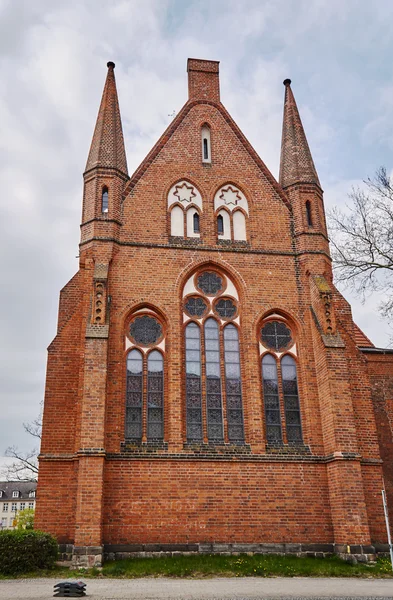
{"points": [[296, 164]]}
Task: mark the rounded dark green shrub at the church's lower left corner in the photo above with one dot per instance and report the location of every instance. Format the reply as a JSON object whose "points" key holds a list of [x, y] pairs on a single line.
{"points": [[22, 551]]}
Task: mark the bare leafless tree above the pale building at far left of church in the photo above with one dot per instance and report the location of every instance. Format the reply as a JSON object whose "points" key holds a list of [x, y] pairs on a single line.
{"points": [[24, 467]]}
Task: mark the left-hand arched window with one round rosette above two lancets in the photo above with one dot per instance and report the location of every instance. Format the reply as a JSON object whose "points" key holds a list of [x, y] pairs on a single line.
{"points": [[145, 380]]}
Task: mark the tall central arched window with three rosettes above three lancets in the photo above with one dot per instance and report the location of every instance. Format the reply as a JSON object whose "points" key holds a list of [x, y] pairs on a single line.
{"points": [[214, 409]]}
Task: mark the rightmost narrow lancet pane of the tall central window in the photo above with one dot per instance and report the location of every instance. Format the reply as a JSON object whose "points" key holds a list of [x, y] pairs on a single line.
{"points": [[233, 384]]}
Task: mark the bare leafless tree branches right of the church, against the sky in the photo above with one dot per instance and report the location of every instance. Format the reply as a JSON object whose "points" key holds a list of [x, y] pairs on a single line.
{"points": [[362, 240]]}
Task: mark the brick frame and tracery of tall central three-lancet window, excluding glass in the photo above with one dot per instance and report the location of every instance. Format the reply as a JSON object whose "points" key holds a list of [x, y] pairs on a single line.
{"points": [[233, 429]]}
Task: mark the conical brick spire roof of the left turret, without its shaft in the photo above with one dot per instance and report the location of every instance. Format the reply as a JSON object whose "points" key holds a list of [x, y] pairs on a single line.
{"points": [[107, 148]]}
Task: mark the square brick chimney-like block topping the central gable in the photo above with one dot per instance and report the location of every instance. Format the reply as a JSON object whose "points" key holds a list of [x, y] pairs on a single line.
{"points": [[203, 80]]}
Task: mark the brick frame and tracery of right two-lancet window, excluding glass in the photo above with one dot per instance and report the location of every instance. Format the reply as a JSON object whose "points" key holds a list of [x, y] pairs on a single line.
{"points": [[278, 357]]}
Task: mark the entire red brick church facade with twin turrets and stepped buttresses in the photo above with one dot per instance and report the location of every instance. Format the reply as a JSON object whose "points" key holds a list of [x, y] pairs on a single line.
{"points": [[207, 388]]}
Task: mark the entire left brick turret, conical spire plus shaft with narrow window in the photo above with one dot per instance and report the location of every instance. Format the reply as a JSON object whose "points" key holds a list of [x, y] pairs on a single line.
{"points": [[106, 169]]}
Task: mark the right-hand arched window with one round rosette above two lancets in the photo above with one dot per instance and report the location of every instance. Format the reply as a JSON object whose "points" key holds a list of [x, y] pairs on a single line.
{"points": [[280, 383]]}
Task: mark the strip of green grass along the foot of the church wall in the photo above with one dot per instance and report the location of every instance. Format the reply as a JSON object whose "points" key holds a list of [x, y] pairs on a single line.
{"points": [[213, 565]]}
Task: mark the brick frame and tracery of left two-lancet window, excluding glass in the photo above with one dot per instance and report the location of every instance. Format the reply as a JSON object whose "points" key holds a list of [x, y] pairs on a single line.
{"points": [[146, 407]]}
